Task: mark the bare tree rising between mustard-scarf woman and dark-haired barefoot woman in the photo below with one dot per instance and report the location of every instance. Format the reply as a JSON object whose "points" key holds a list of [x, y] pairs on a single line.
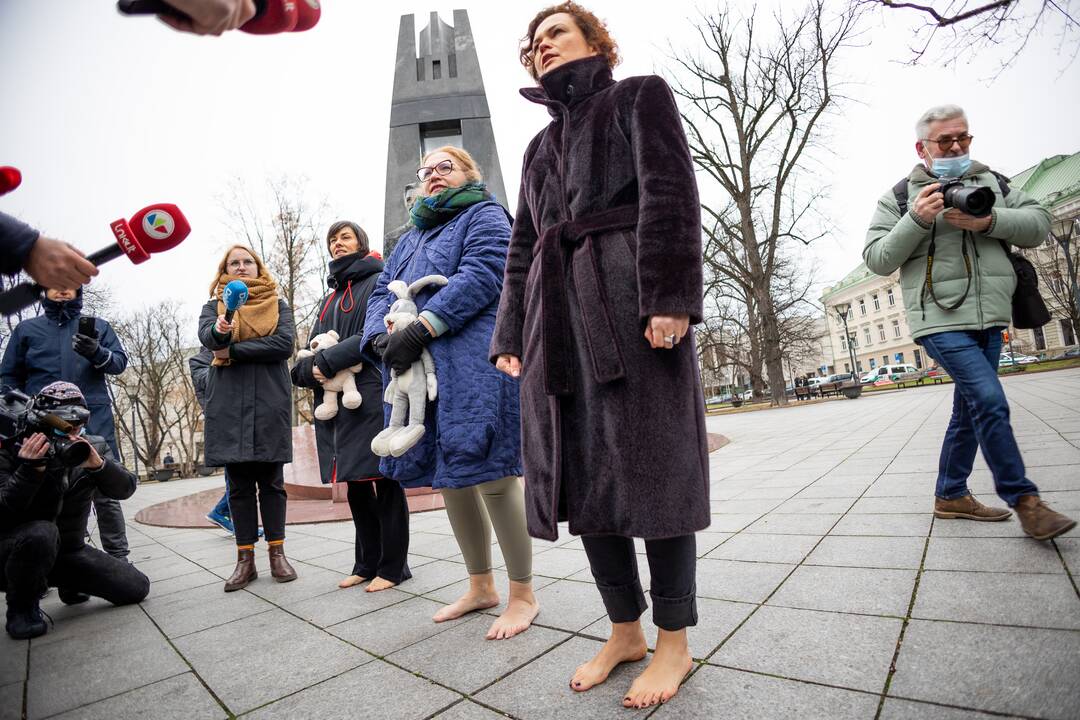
{"points": [[285, 226]]}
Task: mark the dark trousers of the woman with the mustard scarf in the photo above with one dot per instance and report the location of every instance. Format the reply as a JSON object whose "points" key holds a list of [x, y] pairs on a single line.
{"points": [[244, 479]]}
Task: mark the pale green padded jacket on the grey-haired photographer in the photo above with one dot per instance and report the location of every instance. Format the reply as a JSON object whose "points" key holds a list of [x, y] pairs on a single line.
{"points": [[901, 242]]}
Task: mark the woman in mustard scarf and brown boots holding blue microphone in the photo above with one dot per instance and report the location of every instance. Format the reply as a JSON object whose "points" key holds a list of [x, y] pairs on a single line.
{"points": [[249, 401]]}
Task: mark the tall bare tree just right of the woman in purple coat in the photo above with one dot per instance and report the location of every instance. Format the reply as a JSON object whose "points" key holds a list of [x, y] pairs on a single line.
{"points": [[752, 110]]}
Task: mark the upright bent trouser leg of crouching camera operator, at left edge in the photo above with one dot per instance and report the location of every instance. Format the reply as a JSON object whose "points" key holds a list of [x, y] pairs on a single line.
{"points": [[28, 554]]}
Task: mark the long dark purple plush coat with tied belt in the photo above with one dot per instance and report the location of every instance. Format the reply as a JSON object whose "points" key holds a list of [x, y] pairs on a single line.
{"points": [[607, 234]]}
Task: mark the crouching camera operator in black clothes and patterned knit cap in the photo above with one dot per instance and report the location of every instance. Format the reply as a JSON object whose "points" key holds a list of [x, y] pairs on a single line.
{"points": [[49, 473]]}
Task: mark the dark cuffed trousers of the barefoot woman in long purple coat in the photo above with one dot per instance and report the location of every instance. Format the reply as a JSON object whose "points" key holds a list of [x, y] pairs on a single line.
{"points": [[672, 564]]}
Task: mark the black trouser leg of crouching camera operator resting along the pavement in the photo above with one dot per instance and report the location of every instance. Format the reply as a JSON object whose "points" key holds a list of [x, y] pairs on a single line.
{"points": [[91, 572]]}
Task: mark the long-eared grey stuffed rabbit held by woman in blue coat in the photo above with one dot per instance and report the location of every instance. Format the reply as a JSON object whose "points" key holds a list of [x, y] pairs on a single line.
{"points": [[408, 393]]}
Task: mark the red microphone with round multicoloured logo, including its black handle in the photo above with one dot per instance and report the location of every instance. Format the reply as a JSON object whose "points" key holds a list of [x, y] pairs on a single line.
{"points": [[154, 229]]}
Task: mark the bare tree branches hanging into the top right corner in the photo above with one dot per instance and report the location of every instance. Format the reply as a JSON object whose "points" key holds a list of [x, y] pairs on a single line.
{"points": [[961, 30]]}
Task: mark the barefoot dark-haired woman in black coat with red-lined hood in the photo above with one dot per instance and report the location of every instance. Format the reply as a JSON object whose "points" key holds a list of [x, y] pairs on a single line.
{"points": [[380, 511]]}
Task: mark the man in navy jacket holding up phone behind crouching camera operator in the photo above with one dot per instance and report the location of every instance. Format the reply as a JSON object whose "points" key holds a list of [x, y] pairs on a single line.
{"points": [[65, 345]]}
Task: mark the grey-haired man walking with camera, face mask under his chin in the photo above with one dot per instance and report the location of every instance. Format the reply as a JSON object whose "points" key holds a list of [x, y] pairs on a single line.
{"points": [[948, 227]]}
